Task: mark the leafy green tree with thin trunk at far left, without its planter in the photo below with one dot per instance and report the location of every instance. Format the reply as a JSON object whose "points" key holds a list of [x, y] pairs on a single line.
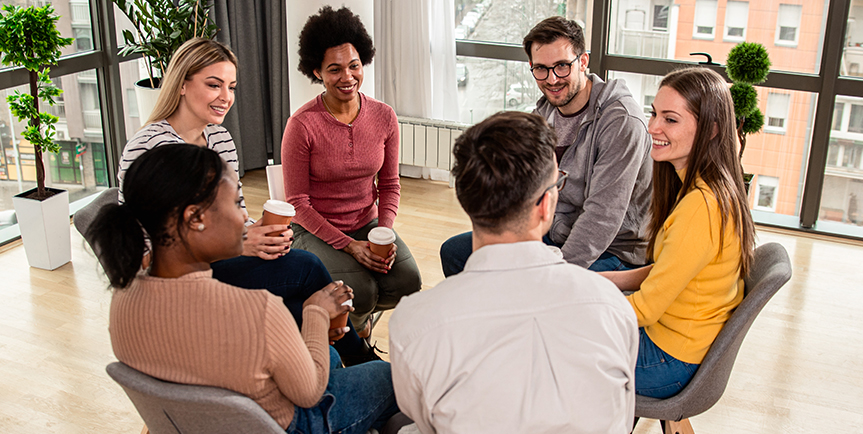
{"points": [[29, 39]]}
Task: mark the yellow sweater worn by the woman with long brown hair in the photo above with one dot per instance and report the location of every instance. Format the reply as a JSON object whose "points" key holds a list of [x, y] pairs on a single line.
{"points": [[692, 289]]}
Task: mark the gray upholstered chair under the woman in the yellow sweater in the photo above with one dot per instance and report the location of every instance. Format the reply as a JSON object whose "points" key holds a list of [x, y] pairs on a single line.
{"points": [[771, 269]]}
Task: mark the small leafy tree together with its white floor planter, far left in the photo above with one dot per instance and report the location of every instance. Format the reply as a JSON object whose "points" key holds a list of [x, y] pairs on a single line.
{"points": [[29, 39]]}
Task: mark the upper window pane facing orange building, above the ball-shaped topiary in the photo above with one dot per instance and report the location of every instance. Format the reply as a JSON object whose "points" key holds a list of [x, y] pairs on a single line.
{"points": [[692, 26]]}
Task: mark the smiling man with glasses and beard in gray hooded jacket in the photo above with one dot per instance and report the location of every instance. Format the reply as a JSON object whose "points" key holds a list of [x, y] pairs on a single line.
{"points": [[604, 146]]}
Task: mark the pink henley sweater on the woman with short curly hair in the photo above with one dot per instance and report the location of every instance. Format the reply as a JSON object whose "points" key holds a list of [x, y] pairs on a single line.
{"points": [[329, 169]]}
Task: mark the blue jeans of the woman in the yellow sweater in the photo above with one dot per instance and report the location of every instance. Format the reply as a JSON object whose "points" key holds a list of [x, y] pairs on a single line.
{"points": [[657, 374]]}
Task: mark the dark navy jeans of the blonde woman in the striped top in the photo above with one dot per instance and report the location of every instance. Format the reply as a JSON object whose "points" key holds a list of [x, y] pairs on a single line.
{"points": [[294, 277]]}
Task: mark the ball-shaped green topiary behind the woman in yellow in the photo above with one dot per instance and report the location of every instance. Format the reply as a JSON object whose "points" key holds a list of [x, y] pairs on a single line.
{"points": [[747, 65]]}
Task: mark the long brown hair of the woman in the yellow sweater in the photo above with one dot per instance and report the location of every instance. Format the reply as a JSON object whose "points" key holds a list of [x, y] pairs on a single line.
{"points": [[713, 158]]}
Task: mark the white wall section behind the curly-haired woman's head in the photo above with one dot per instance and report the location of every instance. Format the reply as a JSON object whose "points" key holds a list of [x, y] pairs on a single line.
{"points": [[302, 90]]}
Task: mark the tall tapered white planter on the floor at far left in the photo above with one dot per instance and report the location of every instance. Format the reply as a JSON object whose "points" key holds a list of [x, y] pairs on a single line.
{"points": [[45, 229]]}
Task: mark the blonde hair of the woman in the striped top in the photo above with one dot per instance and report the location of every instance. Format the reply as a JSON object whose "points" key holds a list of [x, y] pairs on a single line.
{"points": [[193, 56]]}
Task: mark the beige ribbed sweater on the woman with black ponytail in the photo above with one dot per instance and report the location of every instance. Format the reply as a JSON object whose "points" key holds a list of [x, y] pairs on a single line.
{"points": [[197, 330]]}
